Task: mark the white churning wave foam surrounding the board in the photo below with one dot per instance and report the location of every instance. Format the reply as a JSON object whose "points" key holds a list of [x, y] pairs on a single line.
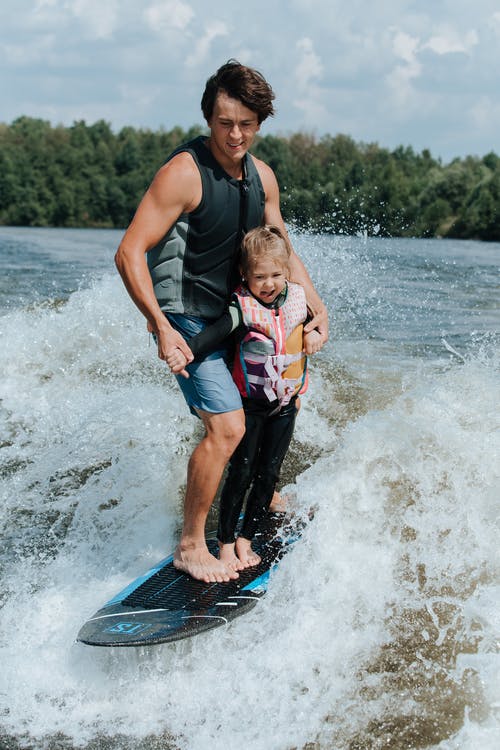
{"points": [[398, 564]]}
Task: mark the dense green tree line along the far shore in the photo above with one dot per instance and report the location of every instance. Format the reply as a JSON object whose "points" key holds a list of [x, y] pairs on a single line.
{"points": [[88, 176]]}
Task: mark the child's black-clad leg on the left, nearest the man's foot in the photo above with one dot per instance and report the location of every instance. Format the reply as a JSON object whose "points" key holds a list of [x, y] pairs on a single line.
{"points": [[240, 472]]}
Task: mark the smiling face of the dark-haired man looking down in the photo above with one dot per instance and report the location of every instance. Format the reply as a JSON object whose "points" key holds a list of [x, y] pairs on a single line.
{"points": [[233, 129]]}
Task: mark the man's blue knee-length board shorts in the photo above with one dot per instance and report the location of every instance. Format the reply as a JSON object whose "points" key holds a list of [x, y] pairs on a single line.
{"points": [[210, 386]]}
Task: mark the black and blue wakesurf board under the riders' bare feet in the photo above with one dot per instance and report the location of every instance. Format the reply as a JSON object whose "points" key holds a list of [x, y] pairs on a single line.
{"points": [[166, 604]]}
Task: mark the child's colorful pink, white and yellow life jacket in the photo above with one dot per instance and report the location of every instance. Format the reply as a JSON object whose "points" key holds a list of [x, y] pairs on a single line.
{"points": [[270, 363]]}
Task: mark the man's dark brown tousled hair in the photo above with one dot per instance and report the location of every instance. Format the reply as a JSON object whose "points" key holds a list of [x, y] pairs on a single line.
{"points": [[239, 82]]}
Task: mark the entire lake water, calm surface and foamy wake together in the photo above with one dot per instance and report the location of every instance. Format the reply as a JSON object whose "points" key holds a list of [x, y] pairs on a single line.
{"points": [[379, 630]]}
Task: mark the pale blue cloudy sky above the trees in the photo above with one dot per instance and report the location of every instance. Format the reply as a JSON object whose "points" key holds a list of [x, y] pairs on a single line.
{"points": [[423, 74]]}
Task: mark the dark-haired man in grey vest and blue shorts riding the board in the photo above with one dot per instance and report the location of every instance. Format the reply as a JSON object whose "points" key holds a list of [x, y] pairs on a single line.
{"points": [[178, 260]]}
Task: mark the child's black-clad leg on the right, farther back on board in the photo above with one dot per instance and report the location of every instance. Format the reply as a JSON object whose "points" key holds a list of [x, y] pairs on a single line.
{"points": [[276, 437]]}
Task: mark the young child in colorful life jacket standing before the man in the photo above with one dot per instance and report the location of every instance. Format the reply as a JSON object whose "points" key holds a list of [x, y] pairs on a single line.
{"points": [[270, 369]]}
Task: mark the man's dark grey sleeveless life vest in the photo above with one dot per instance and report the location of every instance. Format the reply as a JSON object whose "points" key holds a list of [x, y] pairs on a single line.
{"points": [[194, 268]]}
